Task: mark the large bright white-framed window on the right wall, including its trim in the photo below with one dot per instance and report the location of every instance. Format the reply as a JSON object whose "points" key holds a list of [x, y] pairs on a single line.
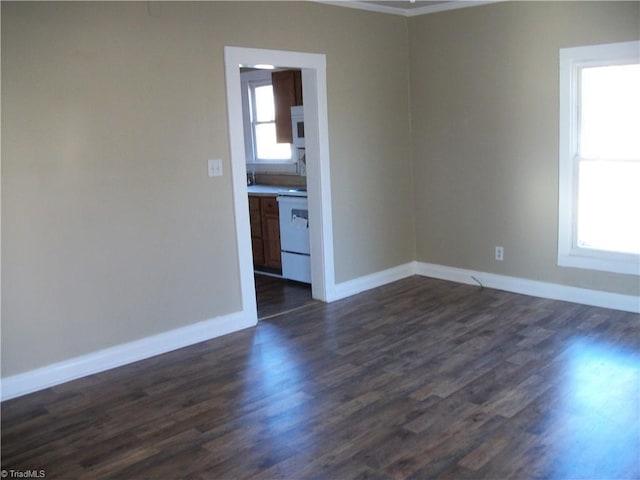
{"points": [[599, 217]]}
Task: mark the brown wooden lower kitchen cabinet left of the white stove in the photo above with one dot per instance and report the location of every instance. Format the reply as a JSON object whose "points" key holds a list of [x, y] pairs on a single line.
{"points": [[265, 233]]}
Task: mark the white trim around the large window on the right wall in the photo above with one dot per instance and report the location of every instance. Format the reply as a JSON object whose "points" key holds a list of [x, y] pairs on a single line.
{"points": [[569, 254]]}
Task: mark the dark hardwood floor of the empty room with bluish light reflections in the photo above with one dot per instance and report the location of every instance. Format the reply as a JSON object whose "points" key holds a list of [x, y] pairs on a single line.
{"points": [[417, 379]]}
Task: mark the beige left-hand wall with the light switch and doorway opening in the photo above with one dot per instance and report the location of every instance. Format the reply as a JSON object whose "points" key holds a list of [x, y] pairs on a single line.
{"points": [[111, 229]]}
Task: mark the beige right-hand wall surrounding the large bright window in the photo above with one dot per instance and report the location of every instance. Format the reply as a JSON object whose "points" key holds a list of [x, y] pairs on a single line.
{"points": [[484, 96]]}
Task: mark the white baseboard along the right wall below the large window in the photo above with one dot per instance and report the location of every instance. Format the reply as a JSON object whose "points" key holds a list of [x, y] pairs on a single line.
{"points": [[554, 291]]}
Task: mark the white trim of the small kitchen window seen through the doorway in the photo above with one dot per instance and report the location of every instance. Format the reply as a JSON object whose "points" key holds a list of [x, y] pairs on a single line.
{"points": [[252, 165]]}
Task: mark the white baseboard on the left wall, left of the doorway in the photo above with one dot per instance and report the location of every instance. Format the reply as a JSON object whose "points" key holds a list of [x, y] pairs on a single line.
{"points": [[112, 357]]}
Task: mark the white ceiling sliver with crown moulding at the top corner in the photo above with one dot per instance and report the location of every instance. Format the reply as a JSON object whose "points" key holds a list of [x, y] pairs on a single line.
{"points": [[406, 7]]}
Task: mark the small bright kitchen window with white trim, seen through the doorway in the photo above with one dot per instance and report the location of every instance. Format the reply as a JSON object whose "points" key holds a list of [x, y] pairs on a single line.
{"points": [[263, 151]]}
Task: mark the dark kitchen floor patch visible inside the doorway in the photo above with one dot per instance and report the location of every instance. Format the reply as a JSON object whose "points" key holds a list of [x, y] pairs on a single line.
{"points": [[277, 295]]}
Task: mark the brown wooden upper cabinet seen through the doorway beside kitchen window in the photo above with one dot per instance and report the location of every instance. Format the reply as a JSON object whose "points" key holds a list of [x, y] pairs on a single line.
{"points": [[287, 92]]}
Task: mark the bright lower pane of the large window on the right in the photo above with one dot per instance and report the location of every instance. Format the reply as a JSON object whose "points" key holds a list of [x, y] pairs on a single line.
{"points": [[609, 206]]}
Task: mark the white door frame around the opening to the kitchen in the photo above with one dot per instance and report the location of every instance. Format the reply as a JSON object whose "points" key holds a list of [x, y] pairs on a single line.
{"points": [[314, 80]]}
